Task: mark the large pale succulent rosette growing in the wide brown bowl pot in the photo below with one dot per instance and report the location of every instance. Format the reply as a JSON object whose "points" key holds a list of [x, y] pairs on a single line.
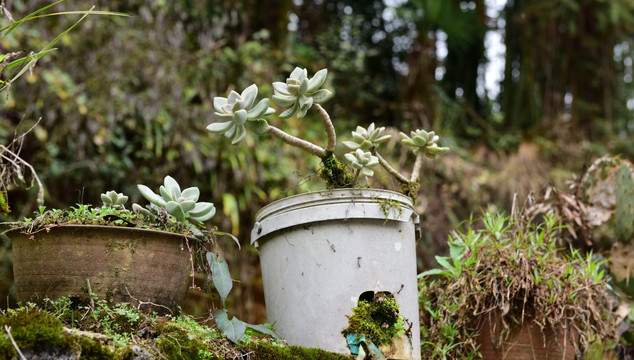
{"points": [[182, 205]]}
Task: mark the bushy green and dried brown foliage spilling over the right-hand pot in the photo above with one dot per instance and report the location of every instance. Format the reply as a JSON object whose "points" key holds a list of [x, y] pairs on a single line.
{"points": [[512, 267]]}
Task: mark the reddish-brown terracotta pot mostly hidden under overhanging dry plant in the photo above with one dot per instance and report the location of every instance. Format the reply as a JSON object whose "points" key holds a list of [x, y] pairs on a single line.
{"points": [[526, 342]]}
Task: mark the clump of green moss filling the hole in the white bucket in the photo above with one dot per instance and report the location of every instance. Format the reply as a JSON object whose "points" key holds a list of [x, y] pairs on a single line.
{"points": [[378, 319]]}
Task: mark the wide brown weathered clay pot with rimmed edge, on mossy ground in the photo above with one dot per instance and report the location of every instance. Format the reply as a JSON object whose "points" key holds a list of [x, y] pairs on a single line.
{"points": [[118, 264]]}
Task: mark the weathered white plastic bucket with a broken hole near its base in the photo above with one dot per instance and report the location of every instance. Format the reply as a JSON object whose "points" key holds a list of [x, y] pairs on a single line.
{"points": [[321, 250]]}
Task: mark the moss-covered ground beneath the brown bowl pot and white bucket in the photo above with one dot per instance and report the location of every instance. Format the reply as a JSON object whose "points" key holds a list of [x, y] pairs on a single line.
{"points": [[98, 331]]}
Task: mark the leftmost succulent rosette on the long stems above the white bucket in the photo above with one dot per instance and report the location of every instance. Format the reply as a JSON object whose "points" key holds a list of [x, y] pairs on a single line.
{"points": [[237, 112]]}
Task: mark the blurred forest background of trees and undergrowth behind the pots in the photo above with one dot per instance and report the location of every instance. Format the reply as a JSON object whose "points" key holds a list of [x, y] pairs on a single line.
{"points": [[527, 93]]}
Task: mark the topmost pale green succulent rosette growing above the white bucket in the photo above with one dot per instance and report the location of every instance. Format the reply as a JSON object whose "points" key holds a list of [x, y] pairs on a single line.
{"points": [[299, 92]]}
